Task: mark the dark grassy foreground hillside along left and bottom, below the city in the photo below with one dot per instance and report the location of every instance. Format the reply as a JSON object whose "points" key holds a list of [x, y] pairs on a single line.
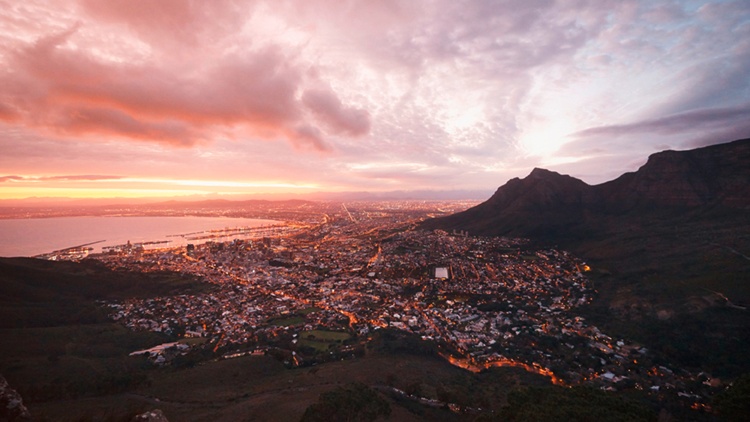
{"points": [[69, 362]]}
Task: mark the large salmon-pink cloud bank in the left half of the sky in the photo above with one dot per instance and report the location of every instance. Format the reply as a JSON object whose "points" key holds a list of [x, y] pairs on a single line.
{"points": [[68, 91]]}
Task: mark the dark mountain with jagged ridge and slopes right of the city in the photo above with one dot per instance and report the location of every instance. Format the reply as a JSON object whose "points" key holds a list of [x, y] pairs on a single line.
{"points": [[669, 245]]}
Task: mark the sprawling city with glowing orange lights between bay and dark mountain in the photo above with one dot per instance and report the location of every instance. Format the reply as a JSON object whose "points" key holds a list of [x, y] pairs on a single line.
{"points": [[315, 291]]}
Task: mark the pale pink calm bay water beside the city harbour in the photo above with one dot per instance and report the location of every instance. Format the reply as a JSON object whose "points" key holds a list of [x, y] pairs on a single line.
{"points": [[34, 236]]}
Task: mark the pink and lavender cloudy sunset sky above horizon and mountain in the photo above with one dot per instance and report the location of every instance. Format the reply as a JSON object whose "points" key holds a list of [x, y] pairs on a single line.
{"points": [[143, 98]]}
